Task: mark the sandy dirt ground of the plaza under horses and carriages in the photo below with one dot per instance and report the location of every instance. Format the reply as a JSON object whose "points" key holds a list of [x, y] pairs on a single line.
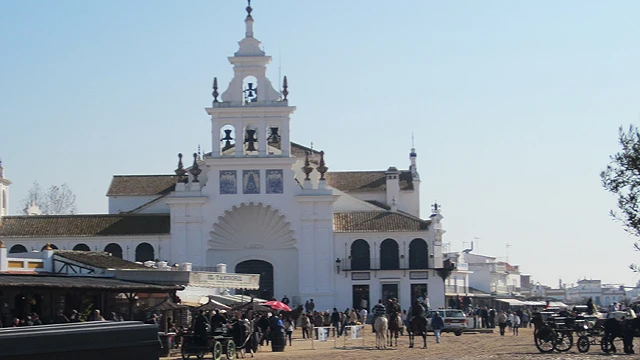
{"points": [[467, 346]]}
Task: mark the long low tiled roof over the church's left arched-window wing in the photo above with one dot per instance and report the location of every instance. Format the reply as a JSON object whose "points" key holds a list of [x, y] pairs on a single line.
{"points": [[84, 225]]}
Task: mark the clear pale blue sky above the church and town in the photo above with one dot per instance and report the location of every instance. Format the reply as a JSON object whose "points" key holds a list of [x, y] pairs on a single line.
{"points": [[515, 105]]}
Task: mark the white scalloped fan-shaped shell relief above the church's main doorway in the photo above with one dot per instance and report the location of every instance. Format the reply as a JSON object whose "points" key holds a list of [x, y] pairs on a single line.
{"points": [[252, 226]]}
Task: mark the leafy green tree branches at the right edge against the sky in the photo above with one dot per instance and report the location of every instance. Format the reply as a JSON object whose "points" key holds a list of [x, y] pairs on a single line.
{"points": [[622, 177]]}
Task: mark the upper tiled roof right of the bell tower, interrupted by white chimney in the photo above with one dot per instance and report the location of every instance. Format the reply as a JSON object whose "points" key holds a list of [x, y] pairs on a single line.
{"points": [[366, 181]]}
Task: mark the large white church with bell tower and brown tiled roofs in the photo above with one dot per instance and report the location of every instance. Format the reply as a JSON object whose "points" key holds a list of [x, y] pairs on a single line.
{"points": [[263, 204]]}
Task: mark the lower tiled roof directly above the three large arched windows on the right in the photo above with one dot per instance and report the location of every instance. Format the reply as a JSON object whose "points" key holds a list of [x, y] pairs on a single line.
{"points": [[372, 221]]}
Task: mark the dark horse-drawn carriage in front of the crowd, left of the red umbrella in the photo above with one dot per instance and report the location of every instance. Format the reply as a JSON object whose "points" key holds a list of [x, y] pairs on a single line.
{"points": [[217, 343]]}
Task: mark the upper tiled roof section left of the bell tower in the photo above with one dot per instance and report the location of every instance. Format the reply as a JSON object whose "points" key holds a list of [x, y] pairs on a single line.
{"points": [[141, 185]]}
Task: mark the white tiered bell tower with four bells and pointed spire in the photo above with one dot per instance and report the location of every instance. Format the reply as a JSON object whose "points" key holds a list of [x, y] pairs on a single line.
{"points": [[250, 118]]}
